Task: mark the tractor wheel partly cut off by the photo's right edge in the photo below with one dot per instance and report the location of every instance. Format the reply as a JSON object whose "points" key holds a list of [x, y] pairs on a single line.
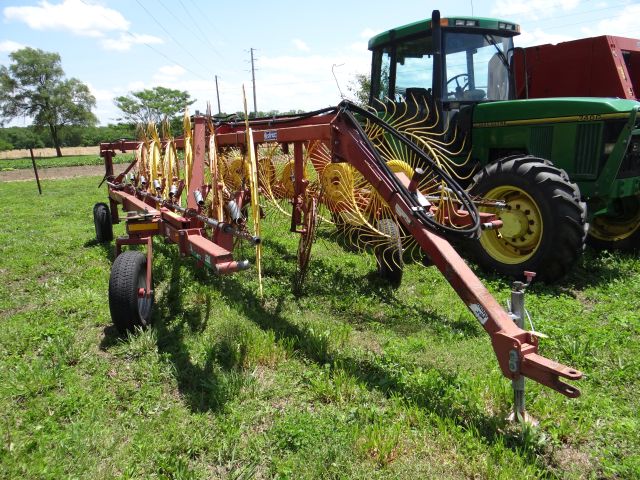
{"points": [[618, 232]]}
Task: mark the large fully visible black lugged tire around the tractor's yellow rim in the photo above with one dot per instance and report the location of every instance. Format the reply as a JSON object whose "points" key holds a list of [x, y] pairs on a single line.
{"points": [[562, 214]]}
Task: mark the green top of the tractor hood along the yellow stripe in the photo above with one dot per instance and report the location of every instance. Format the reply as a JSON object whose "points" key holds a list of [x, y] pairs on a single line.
{"points": [[546, 110]]}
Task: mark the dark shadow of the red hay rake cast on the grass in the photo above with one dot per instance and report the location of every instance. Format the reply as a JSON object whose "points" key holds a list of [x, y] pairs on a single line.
{"points": [[209, 385]]}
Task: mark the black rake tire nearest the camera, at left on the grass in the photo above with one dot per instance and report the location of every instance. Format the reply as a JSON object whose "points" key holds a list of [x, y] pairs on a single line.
{"points": [[128, 275]]}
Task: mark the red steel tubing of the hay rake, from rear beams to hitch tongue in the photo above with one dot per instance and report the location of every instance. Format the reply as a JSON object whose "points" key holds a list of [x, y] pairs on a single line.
{"points": [[516, 349]]}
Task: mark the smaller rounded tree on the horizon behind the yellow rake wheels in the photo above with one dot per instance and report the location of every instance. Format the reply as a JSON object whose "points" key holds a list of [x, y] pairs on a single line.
{"points": [[152, 105]]}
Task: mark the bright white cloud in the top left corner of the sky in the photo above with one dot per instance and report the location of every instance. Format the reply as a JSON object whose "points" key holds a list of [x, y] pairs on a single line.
{"points": [[75, 16]]}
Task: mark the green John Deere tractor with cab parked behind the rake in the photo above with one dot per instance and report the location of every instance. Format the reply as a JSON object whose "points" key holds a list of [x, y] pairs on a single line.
{"points": [[555, 165]]}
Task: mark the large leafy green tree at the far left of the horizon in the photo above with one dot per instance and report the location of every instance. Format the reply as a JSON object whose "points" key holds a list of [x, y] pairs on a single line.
{"points": [[34, 86]]}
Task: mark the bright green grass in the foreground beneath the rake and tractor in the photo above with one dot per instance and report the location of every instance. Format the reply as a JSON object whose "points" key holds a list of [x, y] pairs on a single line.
{"points": [[349, 379]]}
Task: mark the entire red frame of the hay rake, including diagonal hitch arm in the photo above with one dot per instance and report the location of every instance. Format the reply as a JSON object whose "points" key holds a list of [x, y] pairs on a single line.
{"points": [[516, 349]]}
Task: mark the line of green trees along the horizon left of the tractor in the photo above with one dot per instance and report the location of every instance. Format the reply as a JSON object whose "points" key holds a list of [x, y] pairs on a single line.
{"points": [[34, 86]]}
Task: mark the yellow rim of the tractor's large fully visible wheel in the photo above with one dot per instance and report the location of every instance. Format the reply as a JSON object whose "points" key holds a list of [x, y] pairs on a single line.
{"points": [[520, 236]]}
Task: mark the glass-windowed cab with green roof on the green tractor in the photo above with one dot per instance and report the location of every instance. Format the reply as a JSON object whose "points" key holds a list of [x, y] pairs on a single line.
{"points": [[450, 63]]}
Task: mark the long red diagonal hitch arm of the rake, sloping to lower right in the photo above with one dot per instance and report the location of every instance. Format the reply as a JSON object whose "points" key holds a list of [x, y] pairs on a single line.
{"points": [[516, 349]]}
